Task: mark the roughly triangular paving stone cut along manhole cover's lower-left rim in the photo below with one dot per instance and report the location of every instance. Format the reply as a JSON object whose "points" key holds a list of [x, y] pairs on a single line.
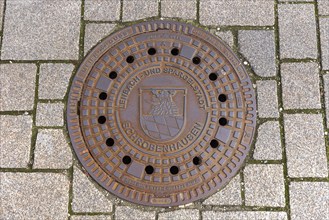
{"points": [[86, 197]]}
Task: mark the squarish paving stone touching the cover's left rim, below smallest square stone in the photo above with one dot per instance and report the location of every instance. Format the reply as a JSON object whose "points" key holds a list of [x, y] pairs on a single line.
{"points": [[52, 150]]}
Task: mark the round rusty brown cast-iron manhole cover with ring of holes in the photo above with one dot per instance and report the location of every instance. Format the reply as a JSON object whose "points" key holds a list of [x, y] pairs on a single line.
{"points": [[161, 113]]}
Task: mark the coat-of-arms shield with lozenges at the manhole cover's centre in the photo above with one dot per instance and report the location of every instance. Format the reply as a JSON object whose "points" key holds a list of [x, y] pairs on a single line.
{"points": [[162, 112]]}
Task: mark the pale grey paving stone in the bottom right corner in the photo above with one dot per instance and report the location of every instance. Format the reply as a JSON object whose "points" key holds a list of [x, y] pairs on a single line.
{"points": [[309, 200]]}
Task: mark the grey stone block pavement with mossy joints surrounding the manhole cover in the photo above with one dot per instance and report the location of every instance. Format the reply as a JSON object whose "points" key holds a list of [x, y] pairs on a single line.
{"points": [[285, 47]]}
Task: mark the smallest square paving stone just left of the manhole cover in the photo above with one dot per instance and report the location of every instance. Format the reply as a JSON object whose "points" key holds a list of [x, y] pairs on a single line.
{"points": [[50, 114]]}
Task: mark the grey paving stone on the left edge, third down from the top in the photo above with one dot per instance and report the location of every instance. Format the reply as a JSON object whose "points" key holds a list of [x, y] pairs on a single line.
{"points": [[15, 141]]}
